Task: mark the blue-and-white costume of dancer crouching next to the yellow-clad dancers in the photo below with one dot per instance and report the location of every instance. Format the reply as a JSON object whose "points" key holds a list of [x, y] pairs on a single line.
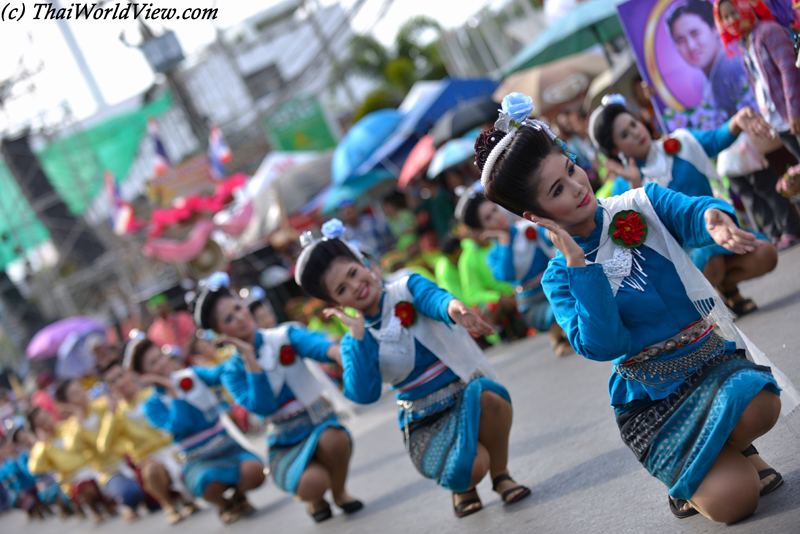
{"points": [[206, 452]]}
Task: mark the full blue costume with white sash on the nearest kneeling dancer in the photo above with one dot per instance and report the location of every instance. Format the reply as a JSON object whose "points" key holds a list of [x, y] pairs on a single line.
{"points": [[678, 386]]}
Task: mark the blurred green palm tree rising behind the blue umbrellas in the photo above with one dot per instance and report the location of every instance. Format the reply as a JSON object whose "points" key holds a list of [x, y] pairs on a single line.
{"points": [[413, 56]]}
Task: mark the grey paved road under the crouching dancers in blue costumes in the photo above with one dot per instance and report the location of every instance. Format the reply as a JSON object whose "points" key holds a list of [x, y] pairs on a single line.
{"points": [[564, 444]]}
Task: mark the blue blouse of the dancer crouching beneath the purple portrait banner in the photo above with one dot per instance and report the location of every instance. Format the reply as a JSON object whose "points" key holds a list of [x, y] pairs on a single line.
{"points": [[686, 178]]}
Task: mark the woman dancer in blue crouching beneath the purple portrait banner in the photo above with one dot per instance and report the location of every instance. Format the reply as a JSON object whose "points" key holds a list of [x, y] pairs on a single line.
{"points": [[617, 132]]}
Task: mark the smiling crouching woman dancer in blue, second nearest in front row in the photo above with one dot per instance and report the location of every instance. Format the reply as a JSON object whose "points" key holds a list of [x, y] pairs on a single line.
{"points": [[411, 334]]}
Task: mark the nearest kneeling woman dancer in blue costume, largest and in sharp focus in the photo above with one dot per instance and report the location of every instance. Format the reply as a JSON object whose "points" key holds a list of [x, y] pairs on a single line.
{"points": [[688, 403]]}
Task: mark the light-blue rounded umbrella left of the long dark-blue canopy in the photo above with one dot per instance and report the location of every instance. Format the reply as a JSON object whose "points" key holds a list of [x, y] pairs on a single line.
{"points": [[363, 138]]}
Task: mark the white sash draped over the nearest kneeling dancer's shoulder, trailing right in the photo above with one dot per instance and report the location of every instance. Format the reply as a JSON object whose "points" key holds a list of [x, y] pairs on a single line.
{"points": [[700, 291]]}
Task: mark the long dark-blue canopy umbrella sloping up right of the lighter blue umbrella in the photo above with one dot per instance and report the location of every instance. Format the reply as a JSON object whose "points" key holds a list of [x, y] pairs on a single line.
{"points": [[421, 118]]}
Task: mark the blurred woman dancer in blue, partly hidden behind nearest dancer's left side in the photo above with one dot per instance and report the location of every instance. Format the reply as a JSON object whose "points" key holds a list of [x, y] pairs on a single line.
{"points": [[519, 254]]}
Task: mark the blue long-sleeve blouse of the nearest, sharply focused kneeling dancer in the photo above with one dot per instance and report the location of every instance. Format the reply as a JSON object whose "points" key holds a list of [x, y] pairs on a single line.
{"points": [[606, 328]]}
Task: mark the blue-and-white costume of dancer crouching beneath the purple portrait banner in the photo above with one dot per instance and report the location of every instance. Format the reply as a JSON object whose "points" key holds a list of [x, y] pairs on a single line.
{"points": [[689, 171]]}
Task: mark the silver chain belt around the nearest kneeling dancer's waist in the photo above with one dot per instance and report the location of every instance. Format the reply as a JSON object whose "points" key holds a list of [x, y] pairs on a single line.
{"points": [[657, 372]]}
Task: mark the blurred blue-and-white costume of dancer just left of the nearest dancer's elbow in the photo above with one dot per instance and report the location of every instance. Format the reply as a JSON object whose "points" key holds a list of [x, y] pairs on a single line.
{"points": [[523, 262]]}
